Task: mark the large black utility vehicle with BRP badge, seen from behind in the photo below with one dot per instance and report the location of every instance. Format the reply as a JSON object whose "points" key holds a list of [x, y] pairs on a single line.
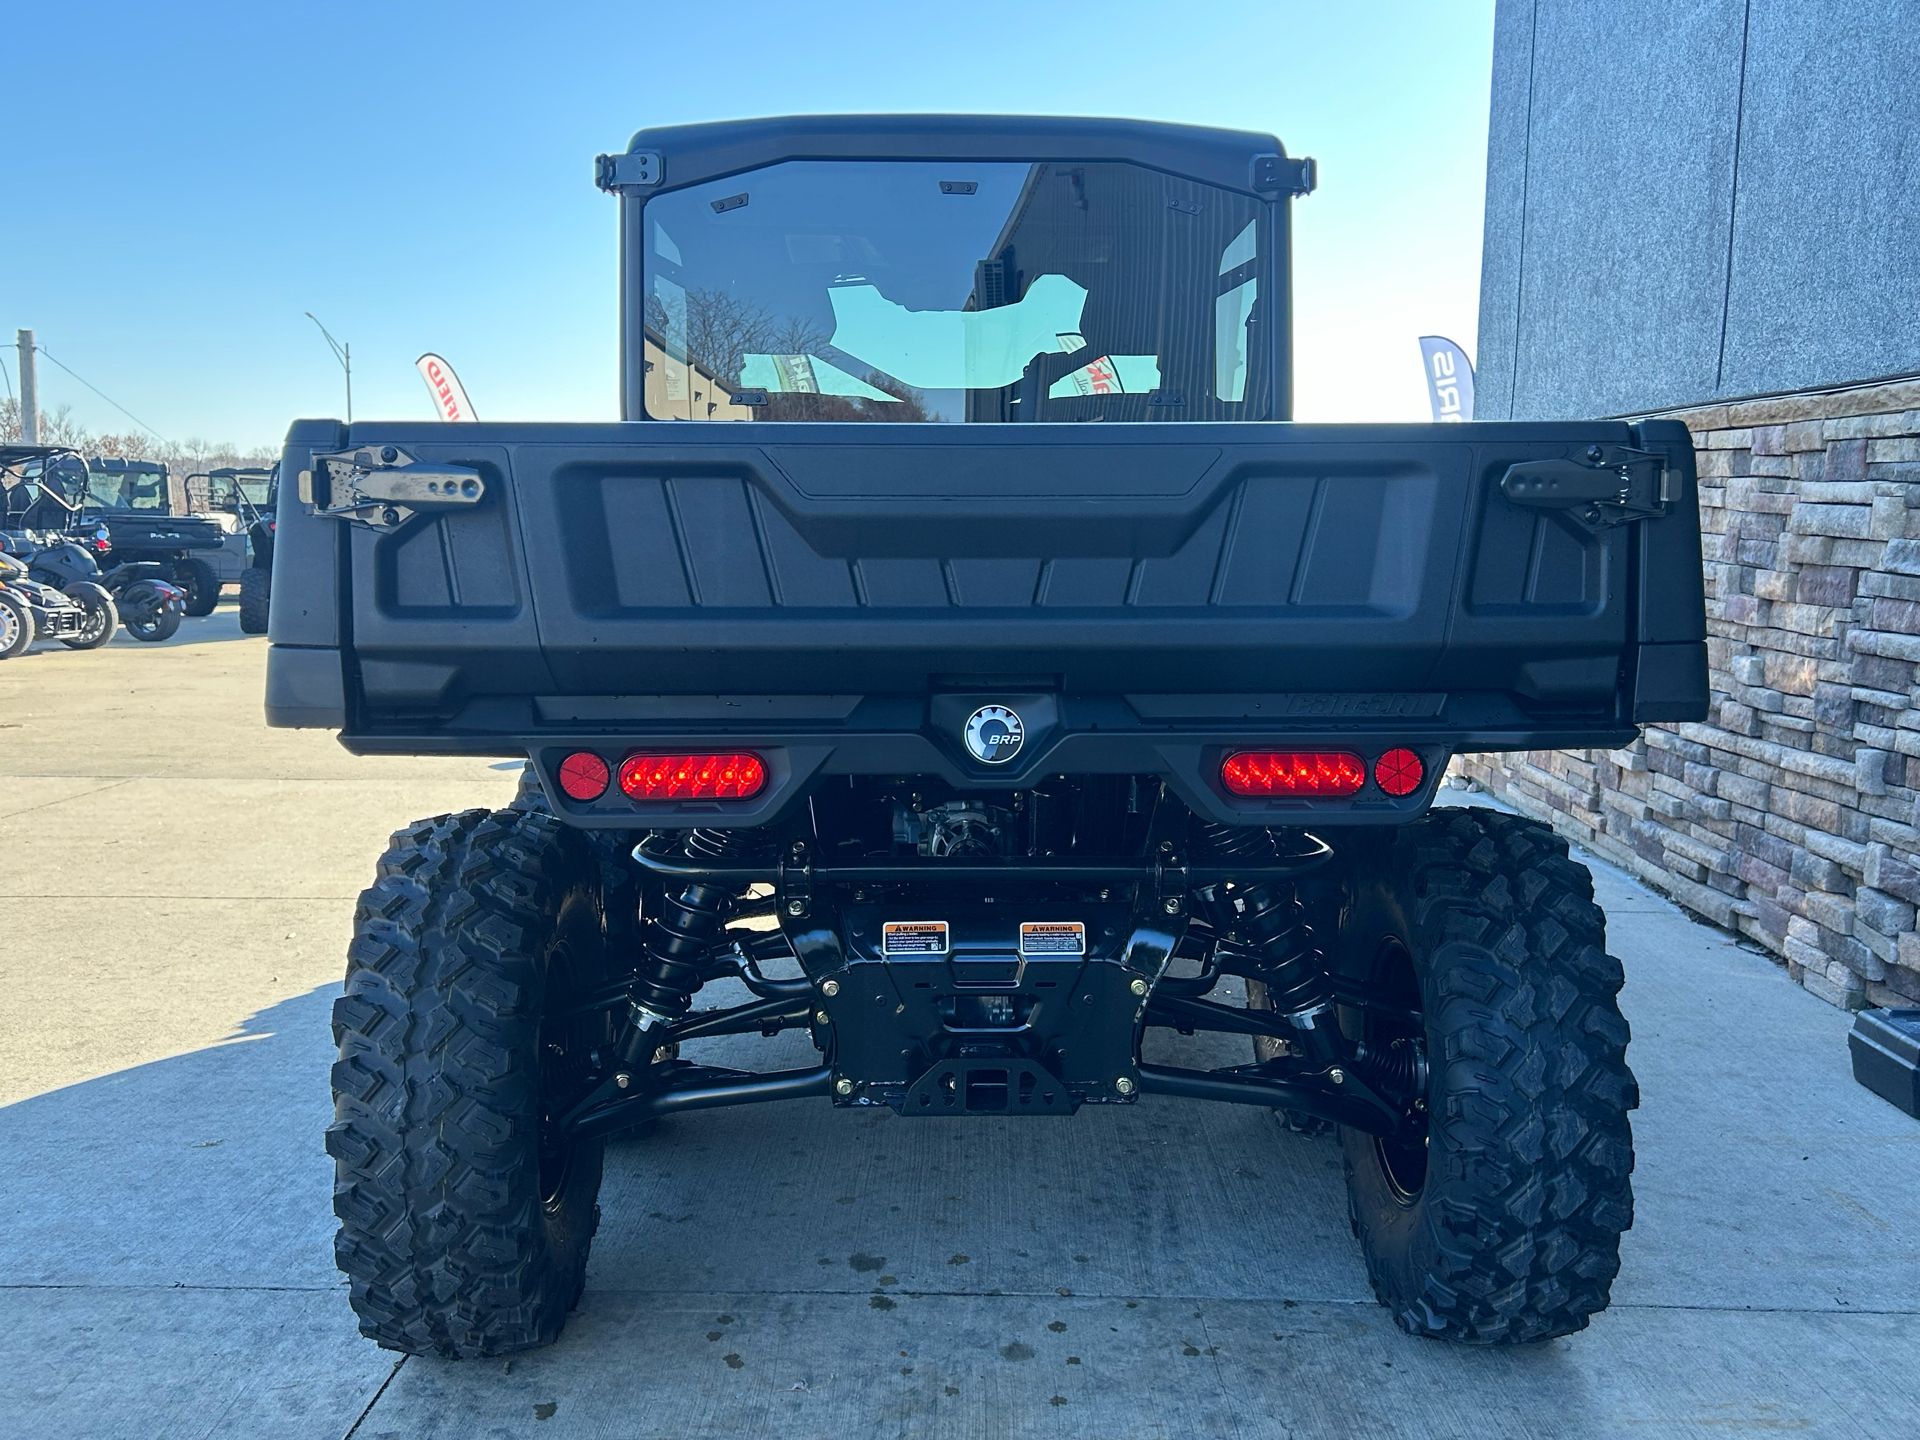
{"points": [[997, 677]]}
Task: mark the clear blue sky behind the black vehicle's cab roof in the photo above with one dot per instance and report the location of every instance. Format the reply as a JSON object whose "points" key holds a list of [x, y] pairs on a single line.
{"points": [[189, 180]]}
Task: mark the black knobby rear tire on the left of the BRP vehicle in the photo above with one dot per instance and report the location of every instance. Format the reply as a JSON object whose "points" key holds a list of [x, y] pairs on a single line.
{"points": [[464, 1228]]}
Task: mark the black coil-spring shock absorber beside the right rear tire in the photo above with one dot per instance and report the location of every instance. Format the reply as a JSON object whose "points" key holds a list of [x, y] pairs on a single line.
{"points": [[1268, 923]]}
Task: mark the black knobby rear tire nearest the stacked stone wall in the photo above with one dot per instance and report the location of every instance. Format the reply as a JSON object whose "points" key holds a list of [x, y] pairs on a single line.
{"points": [[1504, 1228]]}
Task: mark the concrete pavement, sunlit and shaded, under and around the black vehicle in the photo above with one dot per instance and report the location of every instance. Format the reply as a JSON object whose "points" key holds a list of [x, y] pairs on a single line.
{"points": [[174, 919]]}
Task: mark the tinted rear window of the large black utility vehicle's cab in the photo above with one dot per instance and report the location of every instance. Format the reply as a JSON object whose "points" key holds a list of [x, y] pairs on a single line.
{"points": [[890, 291]]}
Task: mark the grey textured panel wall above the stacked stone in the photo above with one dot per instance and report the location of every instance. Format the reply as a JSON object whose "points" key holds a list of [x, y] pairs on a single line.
{"points": [[1698, 201]]}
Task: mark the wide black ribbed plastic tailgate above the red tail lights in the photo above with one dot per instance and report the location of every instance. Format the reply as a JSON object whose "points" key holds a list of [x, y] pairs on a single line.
{"points": [[1184, 567]]}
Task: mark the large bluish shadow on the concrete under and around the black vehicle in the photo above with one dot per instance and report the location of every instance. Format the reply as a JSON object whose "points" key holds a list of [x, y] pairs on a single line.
{"points": [[792, 1270]]}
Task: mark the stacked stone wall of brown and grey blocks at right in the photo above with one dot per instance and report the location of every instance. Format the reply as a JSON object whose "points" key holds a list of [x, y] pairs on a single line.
{"points": [[1790, 813]]}
